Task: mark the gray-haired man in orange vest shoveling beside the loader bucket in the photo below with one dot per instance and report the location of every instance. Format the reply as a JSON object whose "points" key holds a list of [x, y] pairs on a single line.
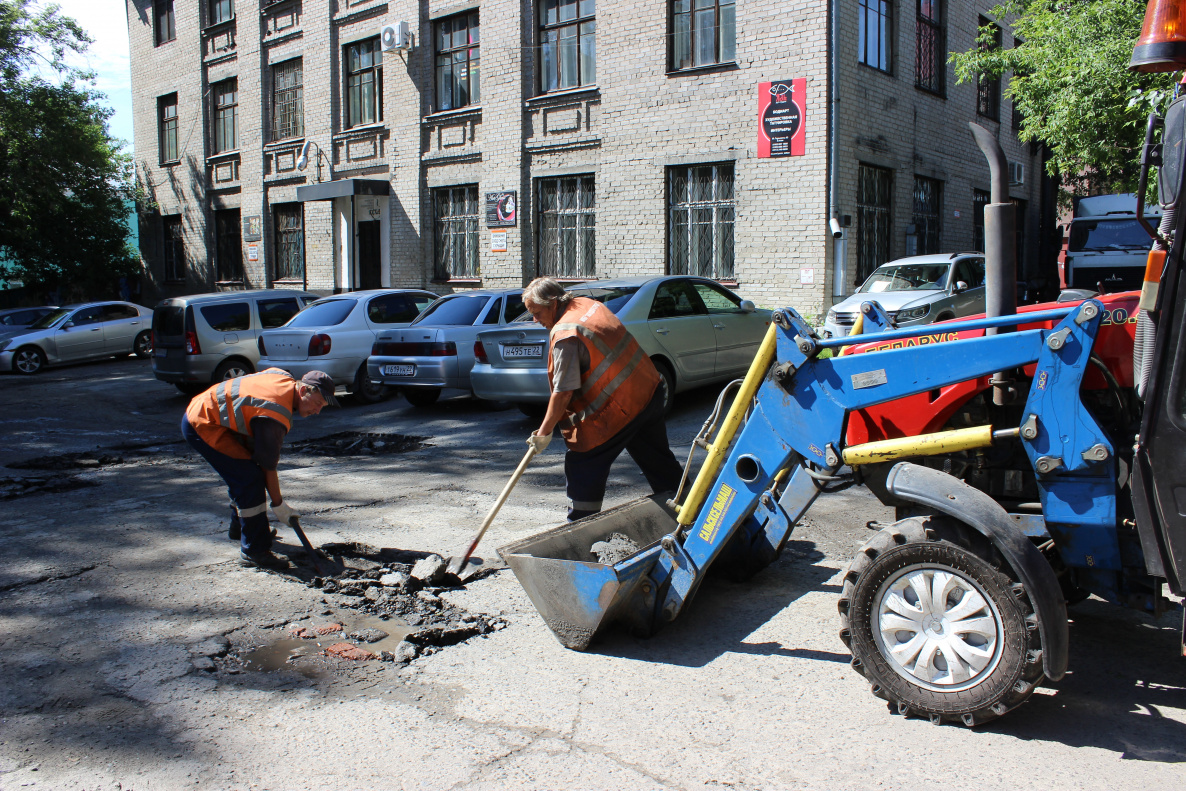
{"points": [[607, 397]]}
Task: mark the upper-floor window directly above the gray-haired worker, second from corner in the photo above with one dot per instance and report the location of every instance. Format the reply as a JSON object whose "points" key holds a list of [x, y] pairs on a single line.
{"points": [[568, 44]]}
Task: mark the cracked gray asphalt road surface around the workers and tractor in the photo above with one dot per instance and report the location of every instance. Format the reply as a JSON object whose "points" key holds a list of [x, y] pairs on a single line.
{"points": [[125, 623]]}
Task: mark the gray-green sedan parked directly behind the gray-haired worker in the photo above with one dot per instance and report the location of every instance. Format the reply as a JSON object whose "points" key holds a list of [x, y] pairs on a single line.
{"points": [[694, 330]]}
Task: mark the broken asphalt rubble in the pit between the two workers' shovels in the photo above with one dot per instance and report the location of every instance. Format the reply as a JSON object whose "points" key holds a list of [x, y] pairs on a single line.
{"points": [[404, 586]]}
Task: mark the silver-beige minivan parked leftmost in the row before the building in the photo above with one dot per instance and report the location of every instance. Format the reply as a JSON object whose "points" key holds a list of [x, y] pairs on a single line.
{"points": [[207, 339]]}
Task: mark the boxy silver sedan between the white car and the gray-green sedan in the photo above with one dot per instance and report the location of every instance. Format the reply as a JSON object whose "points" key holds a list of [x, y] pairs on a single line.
{"points": [[437, 352]]}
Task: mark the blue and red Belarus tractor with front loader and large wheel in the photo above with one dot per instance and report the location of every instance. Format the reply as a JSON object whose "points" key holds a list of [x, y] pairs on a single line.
{"points": [[1034, 458]]}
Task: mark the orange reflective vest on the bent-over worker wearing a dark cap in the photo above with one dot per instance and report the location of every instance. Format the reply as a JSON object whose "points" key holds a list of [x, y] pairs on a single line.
{"points": [[227, 410]]}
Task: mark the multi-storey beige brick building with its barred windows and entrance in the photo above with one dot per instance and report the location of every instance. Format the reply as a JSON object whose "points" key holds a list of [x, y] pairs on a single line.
{"points": [[291, 143]]}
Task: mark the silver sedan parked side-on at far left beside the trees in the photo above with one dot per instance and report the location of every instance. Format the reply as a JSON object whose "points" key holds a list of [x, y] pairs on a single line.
{"points": [[79, 333]]}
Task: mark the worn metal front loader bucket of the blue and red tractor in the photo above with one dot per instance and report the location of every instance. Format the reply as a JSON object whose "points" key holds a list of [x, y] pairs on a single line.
{"points": [[578, 596]]}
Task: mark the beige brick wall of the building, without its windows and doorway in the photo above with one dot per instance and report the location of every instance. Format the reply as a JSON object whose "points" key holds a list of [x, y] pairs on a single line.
{"points": [[628, 132]]}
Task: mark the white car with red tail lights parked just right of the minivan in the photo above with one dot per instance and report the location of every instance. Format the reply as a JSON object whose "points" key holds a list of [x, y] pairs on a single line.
{"points": [[336, 334]]}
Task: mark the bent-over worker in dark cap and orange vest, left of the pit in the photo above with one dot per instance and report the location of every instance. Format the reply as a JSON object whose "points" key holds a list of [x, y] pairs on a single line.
{"points": [[239, 426]]}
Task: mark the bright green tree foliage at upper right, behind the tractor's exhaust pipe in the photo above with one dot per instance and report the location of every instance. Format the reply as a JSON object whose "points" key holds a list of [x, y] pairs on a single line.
{"points": [[1072, 84]]}
